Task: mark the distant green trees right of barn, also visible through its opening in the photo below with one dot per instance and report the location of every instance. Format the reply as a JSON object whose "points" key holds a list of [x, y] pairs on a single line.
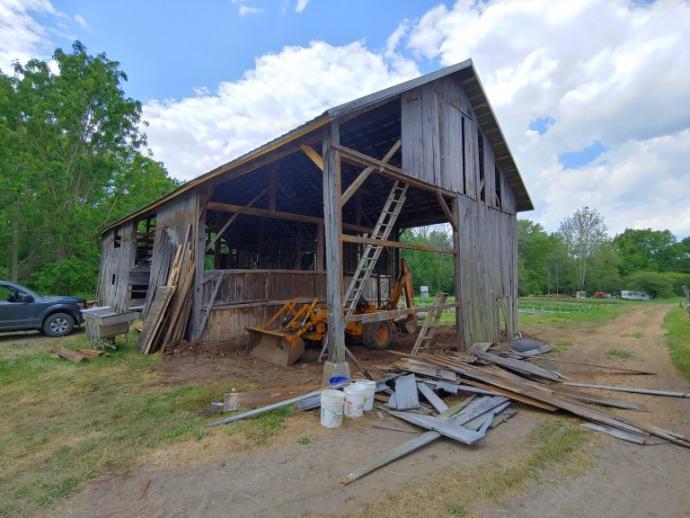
{"points": [[580, 256]]}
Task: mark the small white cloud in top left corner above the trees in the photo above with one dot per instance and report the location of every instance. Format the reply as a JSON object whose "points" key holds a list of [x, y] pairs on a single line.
{"points": [[21, 36]]}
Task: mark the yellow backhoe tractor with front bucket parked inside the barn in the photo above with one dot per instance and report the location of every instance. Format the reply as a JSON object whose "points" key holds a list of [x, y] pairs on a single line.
{"points": [[281, 339]]}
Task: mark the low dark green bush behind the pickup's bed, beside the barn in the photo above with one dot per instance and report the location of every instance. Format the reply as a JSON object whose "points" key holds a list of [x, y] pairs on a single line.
{"points": [[67, 277]]}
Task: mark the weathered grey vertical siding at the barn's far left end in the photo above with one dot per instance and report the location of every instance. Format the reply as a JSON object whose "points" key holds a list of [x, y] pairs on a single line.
{"points": [[113, 281]]}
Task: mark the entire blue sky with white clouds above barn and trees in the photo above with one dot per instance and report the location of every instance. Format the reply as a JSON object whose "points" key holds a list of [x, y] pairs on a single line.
{"points": [[593, 95]]}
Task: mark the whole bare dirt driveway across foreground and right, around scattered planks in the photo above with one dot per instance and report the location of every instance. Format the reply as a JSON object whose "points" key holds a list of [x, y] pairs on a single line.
{"points": [[211, 478]]}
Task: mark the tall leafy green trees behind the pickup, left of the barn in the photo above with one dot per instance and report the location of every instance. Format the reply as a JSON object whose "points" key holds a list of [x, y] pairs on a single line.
{"points": [[74, 157]]}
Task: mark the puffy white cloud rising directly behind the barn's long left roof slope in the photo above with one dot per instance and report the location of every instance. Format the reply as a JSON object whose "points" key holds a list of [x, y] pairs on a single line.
{"points": [[196, 134]]}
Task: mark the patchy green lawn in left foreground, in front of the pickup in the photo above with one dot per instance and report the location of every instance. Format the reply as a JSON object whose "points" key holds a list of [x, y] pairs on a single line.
{"points": [[63, 423]]}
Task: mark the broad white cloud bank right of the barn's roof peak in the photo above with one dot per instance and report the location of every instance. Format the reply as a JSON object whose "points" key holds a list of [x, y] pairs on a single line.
{"points": [[611, 71]]}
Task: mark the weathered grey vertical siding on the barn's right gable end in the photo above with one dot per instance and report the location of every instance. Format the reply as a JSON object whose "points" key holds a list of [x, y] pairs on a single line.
{"points": [[433, 119]]}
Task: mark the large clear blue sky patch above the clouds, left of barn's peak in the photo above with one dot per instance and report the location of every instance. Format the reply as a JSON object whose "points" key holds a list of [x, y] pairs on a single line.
{"points": [[169, 48]]}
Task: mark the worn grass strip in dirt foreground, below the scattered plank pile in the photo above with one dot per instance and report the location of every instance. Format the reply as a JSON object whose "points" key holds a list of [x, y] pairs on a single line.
{"points": [[557, 443]]}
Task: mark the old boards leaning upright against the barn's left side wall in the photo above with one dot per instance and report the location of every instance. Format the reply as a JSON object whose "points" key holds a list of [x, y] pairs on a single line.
{"points": [[167, 319]]}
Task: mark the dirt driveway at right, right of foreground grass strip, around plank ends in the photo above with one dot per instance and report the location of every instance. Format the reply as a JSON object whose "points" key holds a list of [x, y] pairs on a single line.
{"points": [[625, 480]]}
